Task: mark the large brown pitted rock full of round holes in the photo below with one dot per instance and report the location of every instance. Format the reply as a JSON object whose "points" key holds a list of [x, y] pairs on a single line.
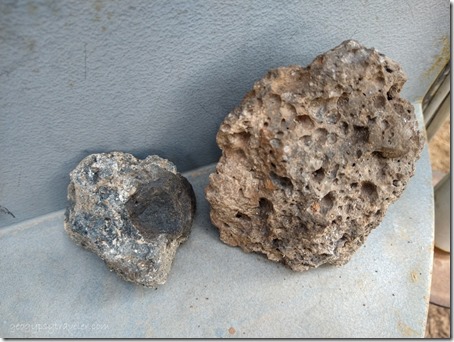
{"points": [[313, 157]]}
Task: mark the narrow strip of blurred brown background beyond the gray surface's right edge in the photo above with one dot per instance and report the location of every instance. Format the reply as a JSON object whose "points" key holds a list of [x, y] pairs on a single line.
{"points": [[437, 109]]}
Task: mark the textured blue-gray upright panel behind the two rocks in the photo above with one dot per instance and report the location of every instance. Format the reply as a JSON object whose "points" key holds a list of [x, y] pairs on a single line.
{"points": [[78, 77]]}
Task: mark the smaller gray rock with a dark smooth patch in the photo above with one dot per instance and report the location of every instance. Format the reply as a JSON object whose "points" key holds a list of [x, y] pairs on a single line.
{"points": [[132, 213]]}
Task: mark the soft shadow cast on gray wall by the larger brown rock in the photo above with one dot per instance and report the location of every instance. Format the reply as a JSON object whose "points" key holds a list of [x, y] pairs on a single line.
{"points": [[220, 87]]}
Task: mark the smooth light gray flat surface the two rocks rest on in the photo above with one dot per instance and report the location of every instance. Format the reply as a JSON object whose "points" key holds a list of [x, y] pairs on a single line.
{"points": [[52, 288]]}
